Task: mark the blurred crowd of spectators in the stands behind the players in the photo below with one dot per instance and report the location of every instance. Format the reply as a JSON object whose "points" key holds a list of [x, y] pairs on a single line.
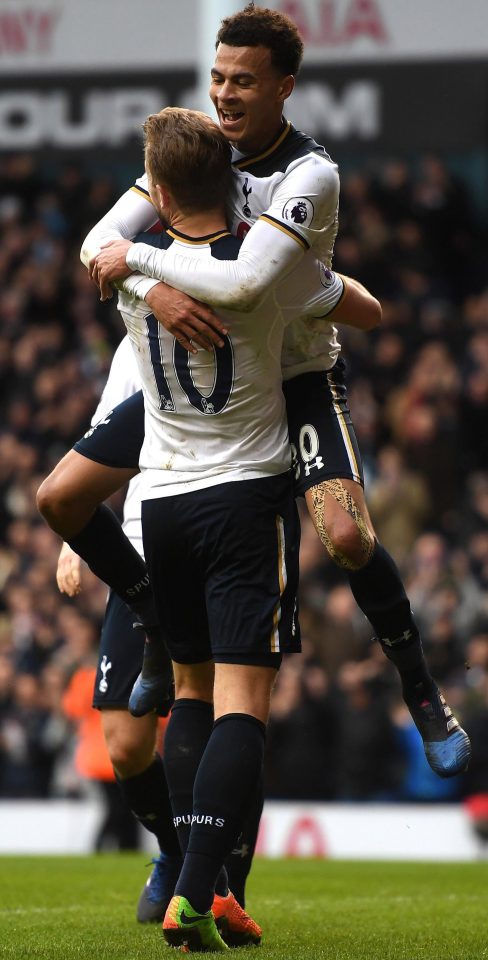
{"points": [[418, 390]]}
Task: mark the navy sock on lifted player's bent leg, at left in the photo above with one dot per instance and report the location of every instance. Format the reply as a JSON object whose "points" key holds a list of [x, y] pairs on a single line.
{"points": [[110, 555]]}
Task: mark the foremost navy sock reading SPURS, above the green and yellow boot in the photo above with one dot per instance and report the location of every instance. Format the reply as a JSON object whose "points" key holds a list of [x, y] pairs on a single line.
{"points": [[226, 780]]}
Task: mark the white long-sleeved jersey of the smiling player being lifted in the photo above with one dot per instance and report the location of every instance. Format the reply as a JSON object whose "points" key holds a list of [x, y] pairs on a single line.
{"points": [[290, 191]]}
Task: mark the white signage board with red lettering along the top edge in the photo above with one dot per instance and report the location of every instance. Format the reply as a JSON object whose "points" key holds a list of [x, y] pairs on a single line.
{"points": [[101, 35]]}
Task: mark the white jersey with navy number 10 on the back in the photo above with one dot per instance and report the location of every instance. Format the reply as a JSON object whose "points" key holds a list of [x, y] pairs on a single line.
{"points": [[218, 416]]}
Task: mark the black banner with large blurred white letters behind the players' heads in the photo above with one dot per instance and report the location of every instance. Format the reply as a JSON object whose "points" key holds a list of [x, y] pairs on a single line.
{"points": [[372, 109]]}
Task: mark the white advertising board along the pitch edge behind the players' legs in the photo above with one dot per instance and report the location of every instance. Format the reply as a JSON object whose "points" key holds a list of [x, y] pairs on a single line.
{"points": [[329, 830]]}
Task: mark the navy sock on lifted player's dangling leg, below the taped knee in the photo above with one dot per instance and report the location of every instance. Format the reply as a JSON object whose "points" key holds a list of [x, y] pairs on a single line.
{"points": [[379, 592]]}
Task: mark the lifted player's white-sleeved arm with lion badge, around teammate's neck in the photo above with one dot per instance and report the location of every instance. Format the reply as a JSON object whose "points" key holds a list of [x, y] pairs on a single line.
{"points": [[303, 211]]}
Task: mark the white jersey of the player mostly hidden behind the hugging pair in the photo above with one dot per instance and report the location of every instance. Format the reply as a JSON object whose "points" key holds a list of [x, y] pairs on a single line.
{"points": [[124, 380]]}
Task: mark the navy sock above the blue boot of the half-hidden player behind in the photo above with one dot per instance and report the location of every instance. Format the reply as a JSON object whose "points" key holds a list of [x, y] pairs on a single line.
{"points": [[147, 796]]}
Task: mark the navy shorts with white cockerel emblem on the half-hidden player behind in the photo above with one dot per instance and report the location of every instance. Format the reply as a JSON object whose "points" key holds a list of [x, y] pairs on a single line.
{"points": [[120, 656]]}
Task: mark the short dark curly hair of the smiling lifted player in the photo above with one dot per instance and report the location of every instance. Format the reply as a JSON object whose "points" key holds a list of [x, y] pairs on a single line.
{"points": [[262, 27]]}
